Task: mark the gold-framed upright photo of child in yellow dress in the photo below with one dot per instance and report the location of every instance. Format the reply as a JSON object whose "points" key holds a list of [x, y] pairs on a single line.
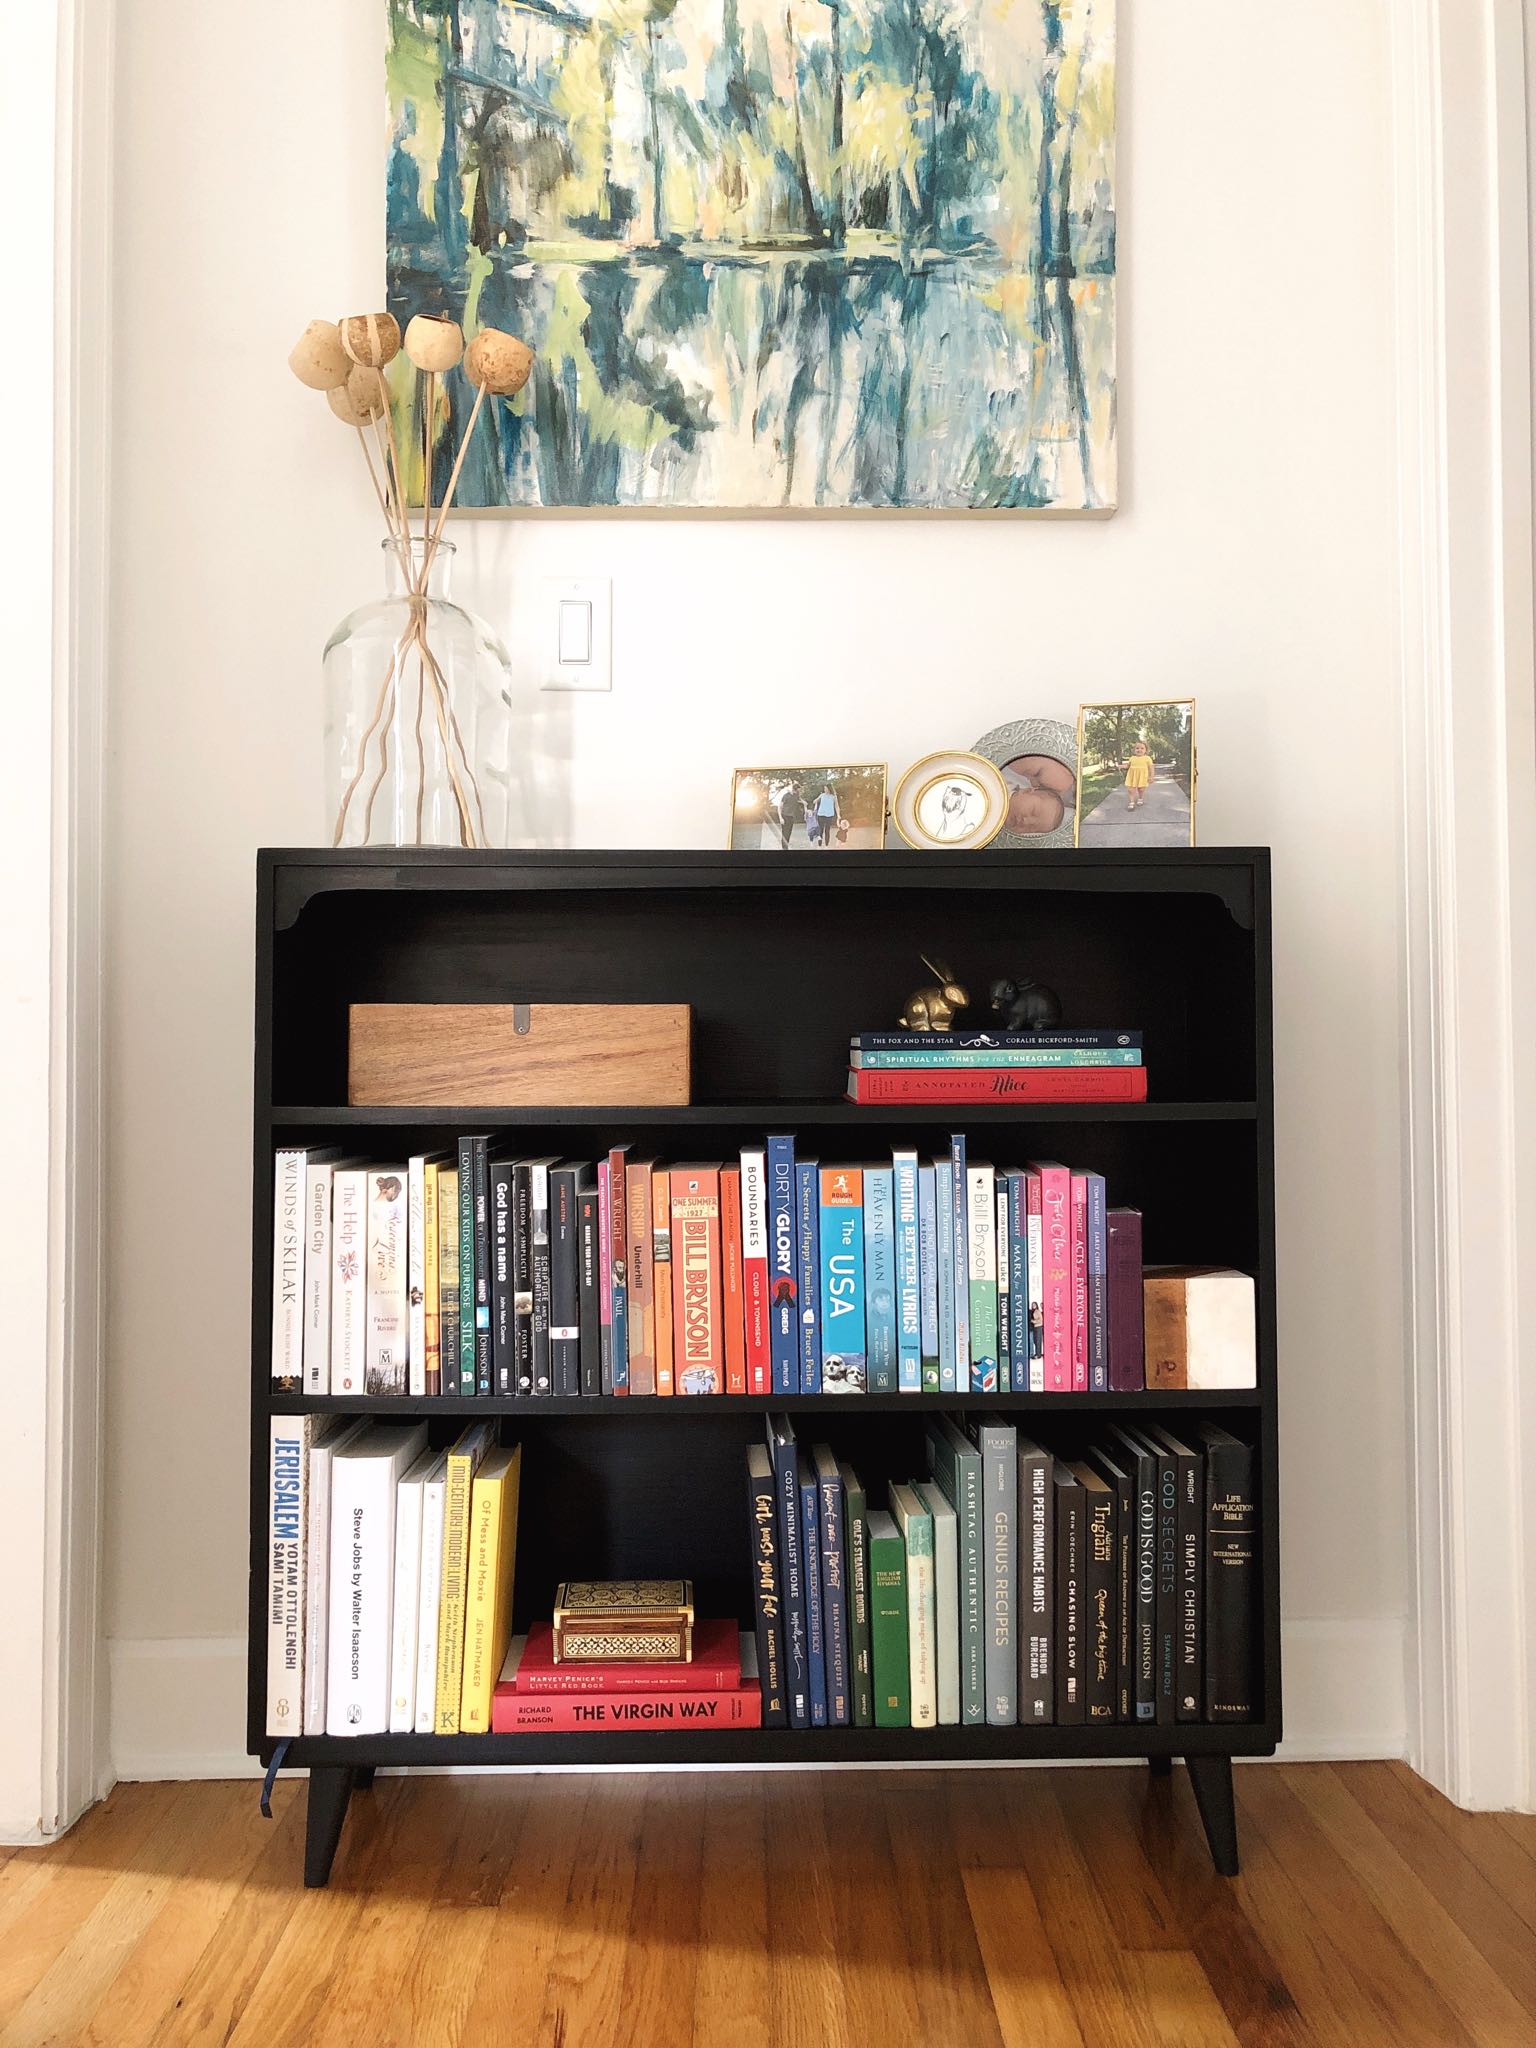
{"points": [[1103, 773]]}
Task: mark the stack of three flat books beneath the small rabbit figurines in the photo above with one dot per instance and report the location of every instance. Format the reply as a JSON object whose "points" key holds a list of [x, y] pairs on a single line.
{"points": [[1013, 1066]]}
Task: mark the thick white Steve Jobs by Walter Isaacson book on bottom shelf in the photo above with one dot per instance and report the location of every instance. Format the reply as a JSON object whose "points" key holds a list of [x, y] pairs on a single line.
{"points": [[364, 1482]]}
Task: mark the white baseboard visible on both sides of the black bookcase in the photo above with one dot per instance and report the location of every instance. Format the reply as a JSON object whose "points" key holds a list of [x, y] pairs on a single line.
{"points": [[179, 1707]]}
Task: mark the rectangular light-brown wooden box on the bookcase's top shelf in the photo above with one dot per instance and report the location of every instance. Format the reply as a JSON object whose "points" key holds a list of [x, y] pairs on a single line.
{"points": [[523, 1056]]}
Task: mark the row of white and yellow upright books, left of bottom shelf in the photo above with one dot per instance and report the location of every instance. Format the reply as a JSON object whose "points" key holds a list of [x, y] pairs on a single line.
{"points": [[390, 1578]]}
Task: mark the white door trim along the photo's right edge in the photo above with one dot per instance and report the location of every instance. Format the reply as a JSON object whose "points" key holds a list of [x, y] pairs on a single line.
{"points": [[1469, 859]]}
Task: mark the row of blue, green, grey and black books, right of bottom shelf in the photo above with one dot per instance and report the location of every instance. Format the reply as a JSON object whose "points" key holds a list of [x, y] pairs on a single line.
{"points": [[1113, 1580]]}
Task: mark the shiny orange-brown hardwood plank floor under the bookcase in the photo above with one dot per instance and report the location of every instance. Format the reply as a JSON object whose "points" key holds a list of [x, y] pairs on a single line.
{"points": [[966, 1910]]}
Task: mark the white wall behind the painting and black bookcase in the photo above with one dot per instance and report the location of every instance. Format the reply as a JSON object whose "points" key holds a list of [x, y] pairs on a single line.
{"points": [[1252, 564]]}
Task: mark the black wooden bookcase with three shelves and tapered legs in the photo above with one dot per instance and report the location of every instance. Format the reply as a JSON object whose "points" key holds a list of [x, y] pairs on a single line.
{"points": [[781, 957]]}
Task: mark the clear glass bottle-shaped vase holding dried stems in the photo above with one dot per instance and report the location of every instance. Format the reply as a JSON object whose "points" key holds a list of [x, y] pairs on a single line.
{"points": [[419, 697]]}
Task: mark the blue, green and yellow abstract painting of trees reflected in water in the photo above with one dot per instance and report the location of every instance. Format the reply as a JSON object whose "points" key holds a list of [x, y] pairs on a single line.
{"points": [[769, 253]]}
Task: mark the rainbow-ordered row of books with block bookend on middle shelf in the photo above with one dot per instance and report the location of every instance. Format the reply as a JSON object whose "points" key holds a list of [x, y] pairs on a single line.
{"points": [[480, 1275]]}
